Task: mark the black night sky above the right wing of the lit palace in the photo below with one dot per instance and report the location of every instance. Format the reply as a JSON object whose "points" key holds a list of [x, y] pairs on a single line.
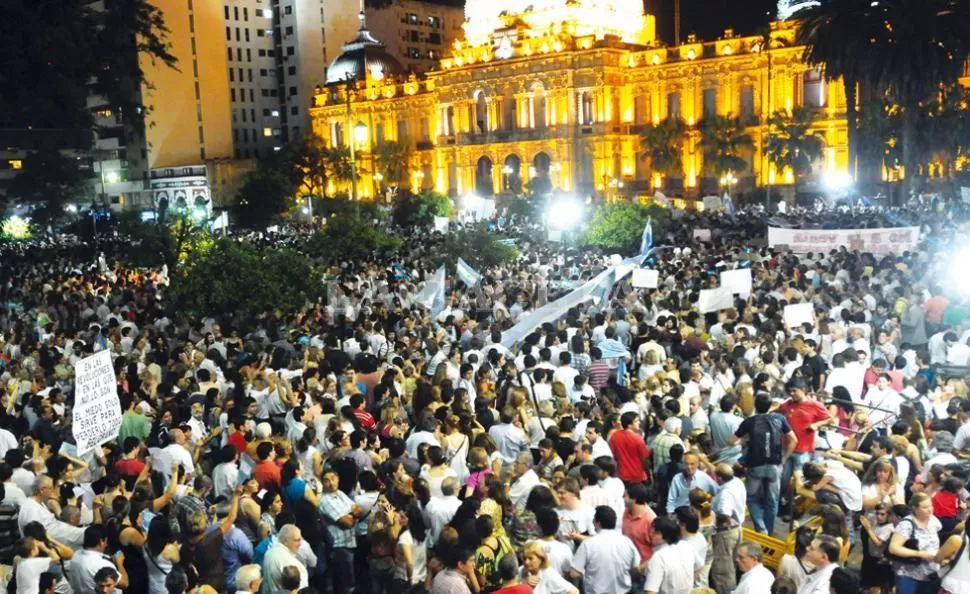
{"points": [[709, 18]]}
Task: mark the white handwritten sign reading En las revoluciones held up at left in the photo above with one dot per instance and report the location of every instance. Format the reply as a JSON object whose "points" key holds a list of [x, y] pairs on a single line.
{"points": [[97, 410]]}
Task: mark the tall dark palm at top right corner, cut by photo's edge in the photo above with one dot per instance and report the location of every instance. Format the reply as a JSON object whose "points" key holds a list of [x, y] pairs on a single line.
{"points": [[927, 46]]}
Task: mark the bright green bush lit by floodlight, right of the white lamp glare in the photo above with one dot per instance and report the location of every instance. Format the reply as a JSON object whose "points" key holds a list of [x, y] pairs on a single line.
{"points": [[619, 225]]}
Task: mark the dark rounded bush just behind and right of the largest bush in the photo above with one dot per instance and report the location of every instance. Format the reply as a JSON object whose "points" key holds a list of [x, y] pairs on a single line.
{"points": [[354, 237]]}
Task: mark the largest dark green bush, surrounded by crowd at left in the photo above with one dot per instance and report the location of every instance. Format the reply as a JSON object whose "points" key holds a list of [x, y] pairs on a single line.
{"points": [[227, 278]]}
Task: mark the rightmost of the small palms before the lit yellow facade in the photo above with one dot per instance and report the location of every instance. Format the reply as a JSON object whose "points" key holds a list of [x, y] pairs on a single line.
{"points": [[793, 143]]}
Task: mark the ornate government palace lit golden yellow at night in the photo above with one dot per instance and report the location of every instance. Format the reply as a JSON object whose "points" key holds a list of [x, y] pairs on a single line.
{"points": [[562, 90]]}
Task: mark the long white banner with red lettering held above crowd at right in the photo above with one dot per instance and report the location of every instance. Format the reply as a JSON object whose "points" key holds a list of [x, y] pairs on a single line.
{"points": [[892, 240]]}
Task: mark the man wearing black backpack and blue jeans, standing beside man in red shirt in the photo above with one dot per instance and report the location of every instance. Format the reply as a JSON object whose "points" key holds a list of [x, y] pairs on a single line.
{"points": [[769, 438]]}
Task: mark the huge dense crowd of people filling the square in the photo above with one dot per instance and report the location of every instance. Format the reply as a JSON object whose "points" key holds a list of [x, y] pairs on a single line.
{"points": [[634, 444]]}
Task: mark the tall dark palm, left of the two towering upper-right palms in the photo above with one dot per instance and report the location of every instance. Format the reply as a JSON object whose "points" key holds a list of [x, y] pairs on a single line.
{"points": [[843, 36]]}
